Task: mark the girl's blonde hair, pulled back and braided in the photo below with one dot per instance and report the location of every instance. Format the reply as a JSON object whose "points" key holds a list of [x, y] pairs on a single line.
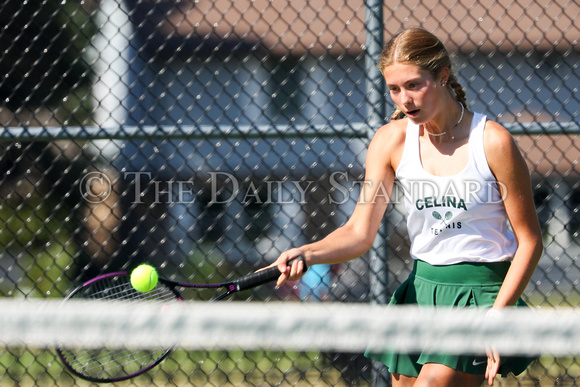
{"points": [[423, 49]]}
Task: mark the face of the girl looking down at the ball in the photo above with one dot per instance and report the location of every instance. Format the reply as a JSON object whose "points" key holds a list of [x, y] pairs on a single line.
{"points": [[414, 91]]}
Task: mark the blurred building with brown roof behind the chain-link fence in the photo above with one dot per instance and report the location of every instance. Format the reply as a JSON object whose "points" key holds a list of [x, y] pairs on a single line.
{"points": [[249, 66]]}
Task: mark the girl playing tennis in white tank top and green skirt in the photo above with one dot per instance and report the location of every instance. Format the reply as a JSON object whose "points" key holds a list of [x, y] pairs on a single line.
{"points": [[464, 181]]}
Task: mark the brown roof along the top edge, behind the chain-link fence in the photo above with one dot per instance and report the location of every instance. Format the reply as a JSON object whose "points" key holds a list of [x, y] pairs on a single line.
{"points": [[321, 26]]}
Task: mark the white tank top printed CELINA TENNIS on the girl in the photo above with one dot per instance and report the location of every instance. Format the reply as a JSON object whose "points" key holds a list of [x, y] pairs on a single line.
{"points": [[459, 218]]}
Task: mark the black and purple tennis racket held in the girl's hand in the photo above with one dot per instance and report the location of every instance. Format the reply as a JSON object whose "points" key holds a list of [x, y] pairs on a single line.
{"points": [[105, 365]]}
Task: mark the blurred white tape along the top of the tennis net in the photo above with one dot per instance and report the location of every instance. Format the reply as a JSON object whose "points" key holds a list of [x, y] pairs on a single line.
{"points": [[290, 326]]}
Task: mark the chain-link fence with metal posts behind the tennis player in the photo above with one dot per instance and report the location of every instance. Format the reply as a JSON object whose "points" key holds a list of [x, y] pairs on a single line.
{"points": [[206, 137]]}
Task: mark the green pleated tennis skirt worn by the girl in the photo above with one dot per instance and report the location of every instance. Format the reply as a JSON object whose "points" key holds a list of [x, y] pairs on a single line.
{"points": [[463, 285]]}
